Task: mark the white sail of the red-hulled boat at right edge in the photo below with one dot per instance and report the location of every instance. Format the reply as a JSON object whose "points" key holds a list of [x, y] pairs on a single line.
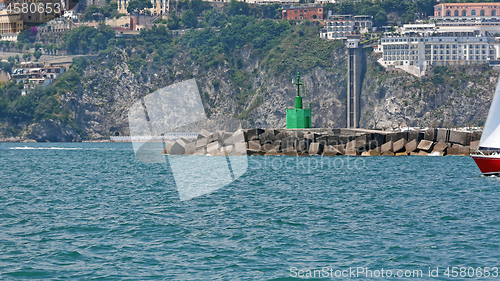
{"points": [[491, 132]]}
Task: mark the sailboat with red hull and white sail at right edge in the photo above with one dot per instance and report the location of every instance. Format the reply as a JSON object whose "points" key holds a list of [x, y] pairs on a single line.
{"points": [[487, 157]]}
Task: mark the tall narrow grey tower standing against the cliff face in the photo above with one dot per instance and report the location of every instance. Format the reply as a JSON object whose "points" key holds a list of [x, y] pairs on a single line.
{"points": [[354, 81]]}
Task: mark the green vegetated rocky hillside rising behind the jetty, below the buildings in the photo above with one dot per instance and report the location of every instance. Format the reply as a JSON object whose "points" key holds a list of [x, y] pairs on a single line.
{"points": [[243, 66]]}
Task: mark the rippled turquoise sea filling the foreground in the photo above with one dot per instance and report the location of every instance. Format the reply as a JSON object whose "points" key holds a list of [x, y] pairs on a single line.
{"points": [[91, 211]]}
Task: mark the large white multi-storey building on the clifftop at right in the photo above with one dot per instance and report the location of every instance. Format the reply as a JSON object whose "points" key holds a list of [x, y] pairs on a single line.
{"points": [[417, 46]]}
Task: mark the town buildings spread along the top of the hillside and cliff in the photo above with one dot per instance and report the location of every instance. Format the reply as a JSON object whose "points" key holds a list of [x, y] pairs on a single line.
{"points": [[456, 34]]}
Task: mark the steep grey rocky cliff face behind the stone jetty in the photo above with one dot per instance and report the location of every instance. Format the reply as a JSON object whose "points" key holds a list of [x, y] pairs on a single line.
{"points": [[447, 96]]}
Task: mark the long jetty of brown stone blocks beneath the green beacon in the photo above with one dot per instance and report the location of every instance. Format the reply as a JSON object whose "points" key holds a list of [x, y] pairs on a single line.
{"points": [[327, 142]]}
